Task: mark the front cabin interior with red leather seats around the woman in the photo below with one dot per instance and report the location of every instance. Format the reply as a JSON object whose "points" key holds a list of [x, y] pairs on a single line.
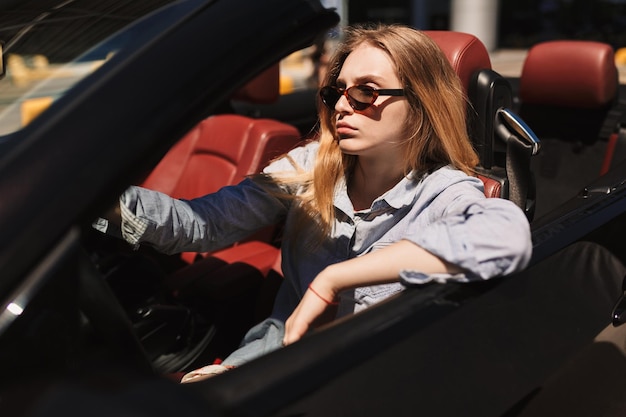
{"points": [[212, 299]]}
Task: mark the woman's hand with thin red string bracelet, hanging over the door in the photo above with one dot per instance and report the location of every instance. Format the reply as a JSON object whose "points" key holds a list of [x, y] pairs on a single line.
{"points": [[317, 307]]}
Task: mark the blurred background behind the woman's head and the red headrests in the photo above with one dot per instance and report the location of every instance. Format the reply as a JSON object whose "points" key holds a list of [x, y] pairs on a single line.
{"points": [[506, 27]]}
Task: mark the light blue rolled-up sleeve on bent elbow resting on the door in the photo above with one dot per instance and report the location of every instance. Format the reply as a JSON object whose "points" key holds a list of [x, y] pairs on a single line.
{"points": [[486, 237]]}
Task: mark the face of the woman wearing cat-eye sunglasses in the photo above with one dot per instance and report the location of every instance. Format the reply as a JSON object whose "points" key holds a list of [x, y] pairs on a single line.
{"points": [[379, 130]]}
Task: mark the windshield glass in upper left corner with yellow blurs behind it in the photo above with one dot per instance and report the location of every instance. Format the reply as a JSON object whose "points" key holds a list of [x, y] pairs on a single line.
{"points": [[50, 46]]}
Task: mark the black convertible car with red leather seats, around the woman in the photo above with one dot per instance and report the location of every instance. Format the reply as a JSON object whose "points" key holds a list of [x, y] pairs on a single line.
{"points": [[183, 97]]}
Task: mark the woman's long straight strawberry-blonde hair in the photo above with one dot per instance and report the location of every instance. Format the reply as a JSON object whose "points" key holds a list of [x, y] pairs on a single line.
{"points": [[436, 130]]}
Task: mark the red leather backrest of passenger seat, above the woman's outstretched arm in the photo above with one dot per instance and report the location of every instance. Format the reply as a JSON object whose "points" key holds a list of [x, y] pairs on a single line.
{"points": [[221, 150]]}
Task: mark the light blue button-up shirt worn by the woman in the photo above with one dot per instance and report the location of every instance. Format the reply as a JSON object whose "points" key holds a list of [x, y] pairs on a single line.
{"points": [[444, 212]]}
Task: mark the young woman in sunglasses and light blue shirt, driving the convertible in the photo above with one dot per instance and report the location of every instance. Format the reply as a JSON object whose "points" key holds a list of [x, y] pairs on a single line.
{"points": [[385, 196]]}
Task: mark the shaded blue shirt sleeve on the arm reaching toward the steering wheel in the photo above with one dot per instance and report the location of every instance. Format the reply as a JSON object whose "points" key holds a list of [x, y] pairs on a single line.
{"points": [[202, 224]]}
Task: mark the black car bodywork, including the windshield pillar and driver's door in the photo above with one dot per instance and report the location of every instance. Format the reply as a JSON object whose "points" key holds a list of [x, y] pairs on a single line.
{"points": [[505, 347]]}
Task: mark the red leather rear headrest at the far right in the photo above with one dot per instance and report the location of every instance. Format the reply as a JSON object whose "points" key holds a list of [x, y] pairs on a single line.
{"points": [[568, 88]]}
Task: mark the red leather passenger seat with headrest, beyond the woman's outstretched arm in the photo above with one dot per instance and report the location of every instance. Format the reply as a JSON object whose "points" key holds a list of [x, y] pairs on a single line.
{"points": [[222, 150]]}
